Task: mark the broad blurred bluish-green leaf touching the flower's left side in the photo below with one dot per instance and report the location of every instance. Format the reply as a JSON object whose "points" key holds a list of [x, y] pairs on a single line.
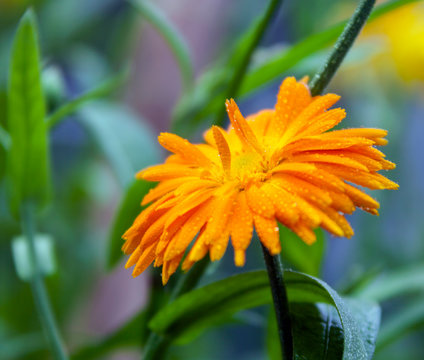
{"points": [[125, 140]]}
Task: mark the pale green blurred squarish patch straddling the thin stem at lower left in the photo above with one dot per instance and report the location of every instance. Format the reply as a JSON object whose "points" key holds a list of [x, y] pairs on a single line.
{"points": [[44, 249]]}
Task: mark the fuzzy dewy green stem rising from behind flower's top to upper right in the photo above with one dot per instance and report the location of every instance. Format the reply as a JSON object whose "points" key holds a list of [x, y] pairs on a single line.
{"points": [[343, 44]]}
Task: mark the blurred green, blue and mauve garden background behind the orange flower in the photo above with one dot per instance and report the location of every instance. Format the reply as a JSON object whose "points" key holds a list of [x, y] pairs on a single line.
{"points": [[97, 150]]}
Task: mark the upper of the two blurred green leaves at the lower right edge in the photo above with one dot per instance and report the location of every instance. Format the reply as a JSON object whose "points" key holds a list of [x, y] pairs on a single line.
{"points": [[392, 284]]}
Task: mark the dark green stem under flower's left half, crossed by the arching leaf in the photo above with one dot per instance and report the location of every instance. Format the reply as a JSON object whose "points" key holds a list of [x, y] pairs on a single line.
{"points": [[157, 346]]}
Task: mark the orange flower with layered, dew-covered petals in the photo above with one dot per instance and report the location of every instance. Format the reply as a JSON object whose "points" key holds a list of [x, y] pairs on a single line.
{"points": [[277, 165]]}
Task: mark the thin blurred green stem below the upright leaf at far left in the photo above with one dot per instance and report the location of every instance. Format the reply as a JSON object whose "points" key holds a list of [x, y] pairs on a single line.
{"points": [[41, 299]]}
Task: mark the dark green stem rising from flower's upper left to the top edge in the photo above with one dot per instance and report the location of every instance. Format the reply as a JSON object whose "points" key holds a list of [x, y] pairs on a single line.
{"points": [[244, 58]]}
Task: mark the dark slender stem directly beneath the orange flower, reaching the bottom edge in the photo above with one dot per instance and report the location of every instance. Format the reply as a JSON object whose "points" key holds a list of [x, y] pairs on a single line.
{"points": [[281, 303]]}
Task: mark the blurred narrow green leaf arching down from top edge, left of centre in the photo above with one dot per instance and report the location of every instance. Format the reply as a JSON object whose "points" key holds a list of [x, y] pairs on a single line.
{"points": [[171, 35]]}
